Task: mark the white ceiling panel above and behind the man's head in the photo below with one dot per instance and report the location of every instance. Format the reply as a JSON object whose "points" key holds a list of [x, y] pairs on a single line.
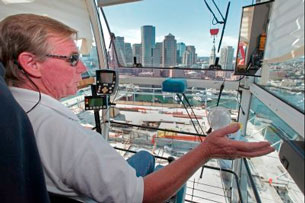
{"points": [[71, 12]]}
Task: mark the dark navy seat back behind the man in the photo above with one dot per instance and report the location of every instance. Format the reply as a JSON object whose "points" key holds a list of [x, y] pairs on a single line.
{"points": [[21, 175]]}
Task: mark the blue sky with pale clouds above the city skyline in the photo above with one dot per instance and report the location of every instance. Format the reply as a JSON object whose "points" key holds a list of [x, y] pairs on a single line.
{"points": [[189, 21]]}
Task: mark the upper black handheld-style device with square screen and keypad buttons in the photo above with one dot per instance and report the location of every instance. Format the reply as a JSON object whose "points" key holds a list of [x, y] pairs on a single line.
{"points": [[106, 81]]}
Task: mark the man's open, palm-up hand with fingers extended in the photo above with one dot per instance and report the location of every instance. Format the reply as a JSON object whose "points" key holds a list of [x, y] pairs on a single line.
{"points": [[218, 145]]}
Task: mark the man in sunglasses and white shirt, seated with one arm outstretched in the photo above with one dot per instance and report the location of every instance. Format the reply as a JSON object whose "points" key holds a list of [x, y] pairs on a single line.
{"points": [[42, 64]]}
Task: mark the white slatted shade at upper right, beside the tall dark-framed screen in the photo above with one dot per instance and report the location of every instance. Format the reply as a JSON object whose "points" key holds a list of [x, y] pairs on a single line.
{"points": [[285, 38]]}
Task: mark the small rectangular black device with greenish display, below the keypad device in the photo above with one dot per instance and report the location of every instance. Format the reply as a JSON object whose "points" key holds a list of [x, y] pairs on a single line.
{"points": [[96, 102]]}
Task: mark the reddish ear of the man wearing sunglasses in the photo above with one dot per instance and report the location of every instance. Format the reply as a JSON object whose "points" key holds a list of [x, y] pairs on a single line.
{"points": [[29, 64]]}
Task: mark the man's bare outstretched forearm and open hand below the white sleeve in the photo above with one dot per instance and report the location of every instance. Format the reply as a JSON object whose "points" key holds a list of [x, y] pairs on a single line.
{"points": [[162, 184]]}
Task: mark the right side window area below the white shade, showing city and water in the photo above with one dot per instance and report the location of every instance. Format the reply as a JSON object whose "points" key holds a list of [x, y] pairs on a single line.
{"points": [[286, 81]]}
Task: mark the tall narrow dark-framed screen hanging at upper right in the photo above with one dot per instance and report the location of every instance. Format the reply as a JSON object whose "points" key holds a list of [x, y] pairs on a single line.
{"points": [[252, 38]]}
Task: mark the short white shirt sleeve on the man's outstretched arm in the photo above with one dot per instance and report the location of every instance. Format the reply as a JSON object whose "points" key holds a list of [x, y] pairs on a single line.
{"points": [[83, 161]]}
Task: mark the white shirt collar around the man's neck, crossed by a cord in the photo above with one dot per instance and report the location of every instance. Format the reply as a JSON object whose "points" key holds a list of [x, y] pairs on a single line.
{"points": [[31, 96]]}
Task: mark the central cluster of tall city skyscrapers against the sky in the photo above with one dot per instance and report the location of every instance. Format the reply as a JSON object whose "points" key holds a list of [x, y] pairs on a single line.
{"points": [[149, 52]]}
